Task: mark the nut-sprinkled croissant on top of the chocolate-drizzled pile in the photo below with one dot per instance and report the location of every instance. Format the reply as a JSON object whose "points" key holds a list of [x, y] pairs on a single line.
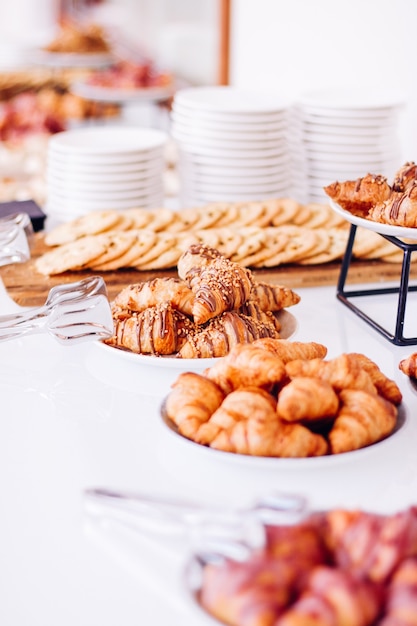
{"points": [[218, 284]]}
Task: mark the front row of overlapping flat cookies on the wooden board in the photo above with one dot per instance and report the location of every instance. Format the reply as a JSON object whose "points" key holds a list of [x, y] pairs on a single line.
{"points": [[249, 246]]}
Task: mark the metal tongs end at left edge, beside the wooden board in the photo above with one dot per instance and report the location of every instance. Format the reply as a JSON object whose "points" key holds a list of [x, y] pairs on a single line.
{"points": [[15, 231]]}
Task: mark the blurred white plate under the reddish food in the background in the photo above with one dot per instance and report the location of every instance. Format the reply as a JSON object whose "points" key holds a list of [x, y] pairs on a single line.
{"points": [[120, 96]]}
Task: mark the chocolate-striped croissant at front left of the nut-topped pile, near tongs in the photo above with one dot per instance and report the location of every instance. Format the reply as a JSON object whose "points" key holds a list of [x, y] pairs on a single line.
{"points": [[158, 330]]}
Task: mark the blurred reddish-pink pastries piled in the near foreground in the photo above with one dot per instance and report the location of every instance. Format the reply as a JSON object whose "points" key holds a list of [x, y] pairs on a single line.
{"points": [[336, 567]]}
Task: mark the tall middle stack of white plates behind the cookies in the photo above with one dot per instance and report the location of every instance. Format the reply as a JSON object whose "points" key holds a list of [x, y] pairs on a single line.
{"points": [[232, 144]]}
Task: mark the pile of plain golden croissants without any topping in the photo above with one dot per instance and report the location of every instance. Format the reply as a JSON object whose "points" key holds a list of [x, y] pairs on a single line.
{"points": [[275, 397]]}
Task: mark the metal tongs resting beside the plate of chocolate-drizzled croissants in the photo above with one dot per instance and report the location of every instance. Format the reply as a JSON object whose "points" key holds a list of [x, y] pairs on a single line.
{"points": [[72, 313]]}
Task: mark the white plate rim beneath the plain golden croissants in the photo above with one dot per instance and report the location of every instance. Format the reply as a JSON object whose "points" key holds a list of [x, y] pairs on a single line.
{"points": [[285, 463]]}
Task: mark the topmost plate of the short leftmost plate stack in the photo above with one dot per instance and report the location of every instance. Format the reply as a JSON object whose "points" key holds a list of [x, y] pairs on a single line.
{"points": [[107, 140]]}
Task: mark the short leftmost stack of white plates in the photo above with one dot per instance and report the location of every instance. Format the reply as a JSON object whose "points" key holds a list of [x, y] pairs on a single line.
{"points": [[104, 168]]}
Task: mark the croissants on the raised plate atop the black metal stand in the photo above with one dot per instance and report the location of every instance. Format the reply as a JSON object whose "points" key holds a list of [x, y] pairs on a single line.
{"points": [[373, 198]]}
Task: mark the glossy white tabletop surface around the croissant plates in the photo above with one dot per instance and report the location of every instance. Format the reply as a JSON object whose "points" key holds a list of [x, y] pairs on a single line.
{"points": [[75, 417]]}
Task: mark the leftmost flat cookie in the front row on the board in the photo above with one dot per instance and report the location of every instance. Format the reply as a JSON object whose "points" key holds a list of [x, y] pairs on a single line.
{"points": [[73, 255]]}
